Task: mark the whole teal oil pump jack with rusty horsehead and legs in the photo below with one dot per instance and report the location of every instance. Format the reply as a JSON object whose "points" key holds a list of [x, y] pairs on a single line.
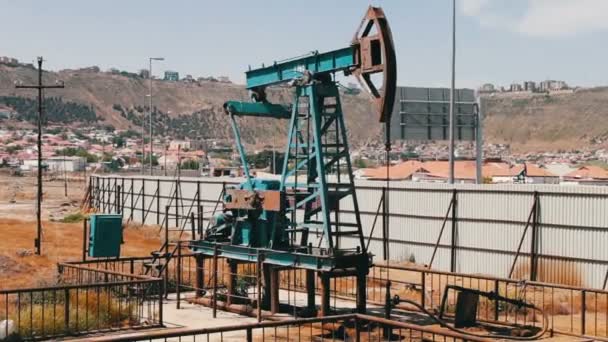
{"points": [[296, 222]]}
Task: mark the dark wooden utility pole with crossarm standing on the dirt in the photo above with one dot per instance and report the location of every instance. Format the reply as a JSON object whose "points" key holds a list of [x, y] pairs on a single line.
{"points": [[40, 87]]}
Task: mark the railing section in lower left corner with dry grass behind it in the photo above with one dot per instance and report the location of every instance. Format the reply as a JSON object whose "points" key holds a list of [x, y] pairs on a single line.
{"points": [[84, 301]]}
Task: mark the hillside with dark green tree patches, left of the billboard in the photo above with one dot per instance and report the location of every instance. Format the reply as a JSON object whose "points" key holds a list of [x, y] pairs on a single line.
{"points": [[183, 109]]}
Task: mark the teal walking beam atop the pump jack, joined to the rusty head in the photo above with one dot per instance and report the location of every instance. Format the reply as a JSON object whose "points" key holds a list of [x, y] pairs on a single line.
{"points": [[316, 63]]}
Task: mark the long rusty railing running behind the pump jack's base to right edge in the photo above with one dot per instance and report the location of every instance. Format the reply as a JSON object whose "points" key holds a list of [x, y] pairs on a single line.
{"points": [[572, 310]]}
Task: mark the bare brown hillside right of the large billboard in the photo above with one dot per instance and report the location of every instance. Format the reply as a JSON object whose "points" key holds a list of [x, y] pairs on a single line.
{"points": [[540, 123]]}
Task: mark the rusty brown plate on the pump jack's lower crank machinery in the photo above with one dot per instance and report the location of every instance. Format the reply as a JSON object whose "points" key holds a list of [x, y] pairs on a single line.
{"points": [[252, 200]]}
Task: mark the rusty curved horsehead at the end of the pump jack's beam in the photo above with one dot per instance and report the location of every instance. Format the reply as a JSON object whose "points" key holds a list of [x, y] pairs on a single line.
{"points": [[376, 54]]}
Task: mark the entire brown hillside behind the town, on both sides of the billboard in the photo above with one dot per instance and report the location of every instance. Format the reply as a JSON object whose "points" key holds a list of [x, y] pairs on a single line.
{"points": [[530, 123]]}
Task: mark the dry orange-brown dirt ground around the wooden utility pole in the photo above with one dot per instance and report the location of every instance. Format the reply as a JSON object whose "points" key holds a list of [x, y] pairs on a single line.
{"points": [[19, 266]]}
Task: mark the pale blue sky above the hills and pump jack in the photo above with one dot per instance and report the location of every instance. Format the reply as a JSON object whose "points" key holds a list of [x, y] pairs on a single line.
{"points": [[499, 41]]}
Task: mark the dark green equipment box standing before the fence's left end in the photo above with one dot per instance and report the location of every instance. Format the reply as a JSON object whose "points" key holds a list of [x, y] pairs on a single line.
{"points": [[105, 235]]}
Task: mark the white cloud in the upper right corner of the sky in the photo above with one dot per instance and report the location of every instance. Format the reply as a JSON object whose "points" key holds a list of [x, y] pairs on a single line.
{"points": [[542, 18]]}
